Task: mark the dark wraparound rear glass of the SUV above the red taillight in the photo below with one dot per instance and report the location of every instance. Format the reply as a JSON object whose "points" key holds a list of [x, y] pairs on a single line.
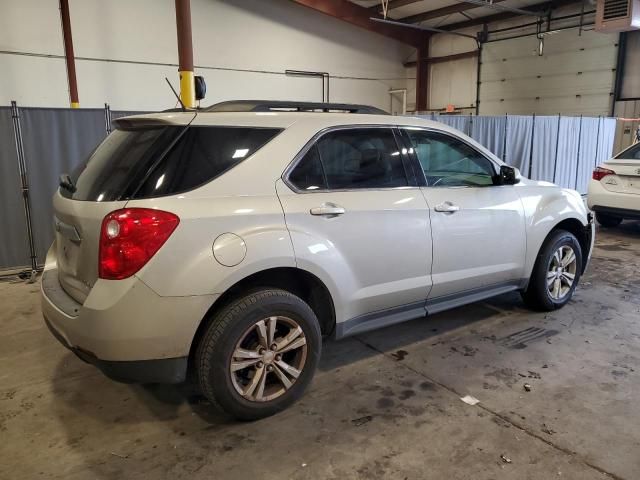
{"points": [[153, 162]]}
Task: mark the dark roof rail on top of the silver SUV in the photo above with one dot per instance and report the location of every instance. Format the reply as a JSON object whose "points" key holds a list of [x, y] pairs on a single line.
{"points": [[290, 106]]}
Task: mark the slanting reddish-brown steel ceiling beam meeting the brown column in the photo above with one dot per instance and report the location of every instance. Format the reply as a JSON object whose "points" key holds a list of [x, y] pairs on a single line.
{"points": [[360, 16]]}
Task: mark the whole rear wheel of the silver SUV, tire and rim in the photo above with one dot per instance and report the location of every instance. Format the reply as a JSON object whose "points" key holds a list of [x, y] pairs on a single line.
{"points": [[259, 354]]}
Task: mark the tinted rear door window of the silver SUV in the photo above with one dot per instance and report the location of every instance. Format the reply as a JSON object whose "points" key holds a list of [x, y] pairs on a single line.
{"points": [[353, 158]]}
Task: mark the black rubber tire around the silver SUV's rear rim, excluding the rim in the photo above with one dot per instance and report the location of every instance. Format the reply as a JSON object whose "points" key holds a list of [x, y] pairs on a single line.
{"points": [[216, 349]]}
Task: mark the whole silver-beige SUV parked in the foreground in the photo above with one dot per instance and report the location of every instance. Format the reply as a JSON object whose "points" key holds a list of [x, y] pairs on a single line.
{"points": [[228, 241]]}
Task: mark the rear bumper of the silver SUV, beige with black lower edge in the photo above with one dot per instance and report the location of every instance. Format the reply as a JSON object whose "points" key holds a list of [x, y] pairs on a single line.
{"points": [[124, 328]]}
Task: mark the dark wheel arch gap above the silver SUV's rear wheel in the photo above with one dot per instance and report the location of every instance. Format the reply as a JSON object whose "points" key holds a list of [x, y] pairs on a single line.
{"points": [[297, 281]]}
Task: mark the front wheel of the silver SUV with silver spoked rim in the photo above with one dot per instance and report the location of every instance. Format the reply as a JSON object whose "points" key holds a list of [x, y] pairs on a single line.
{"points": [[556, 272]]}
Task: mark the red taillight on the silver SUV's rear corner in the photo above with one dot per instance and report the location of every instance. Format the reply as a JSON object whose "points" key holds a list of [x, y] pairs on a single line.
{"points": [[130, 237]]}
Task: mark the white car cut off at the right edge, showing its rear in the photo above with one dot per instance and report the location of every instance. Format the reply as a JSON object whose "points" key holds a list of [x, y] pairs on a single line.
{"points": [[614, 190]]}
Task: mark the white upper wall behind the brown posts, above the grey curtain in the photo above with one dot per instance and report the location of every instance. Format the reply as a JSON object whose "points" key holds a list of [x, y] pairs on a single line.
{"points": [[236, 40]]}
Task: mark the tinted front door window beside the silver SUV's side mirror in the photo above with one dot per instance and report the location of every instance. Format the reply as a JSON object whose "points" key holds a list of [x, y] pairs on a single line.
{"points": [[449, 162]]}
